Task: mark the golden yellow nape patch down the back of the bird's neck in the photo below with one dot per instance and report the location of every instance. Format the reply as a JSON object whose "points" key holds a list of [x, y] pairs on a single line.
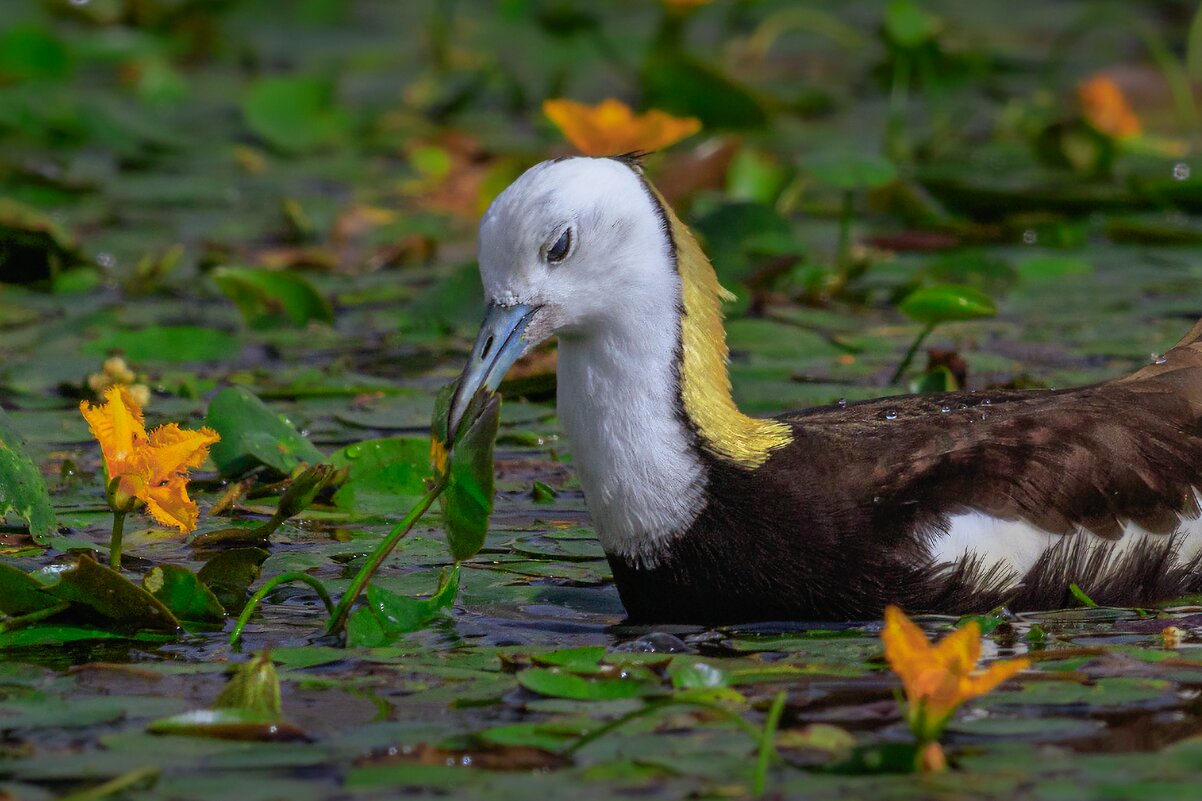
{"points": [[706, 384]]}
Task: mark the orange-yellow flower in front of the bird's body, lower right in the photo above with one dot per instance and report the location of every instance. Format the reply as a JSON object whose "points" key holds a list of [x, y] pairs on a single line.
{"points": [[938, 679]]}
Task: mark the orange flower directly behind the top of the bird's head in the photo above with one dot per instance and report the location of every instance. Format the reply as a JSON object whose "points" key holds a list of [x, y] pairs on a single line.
{"points": [[612, 128]]}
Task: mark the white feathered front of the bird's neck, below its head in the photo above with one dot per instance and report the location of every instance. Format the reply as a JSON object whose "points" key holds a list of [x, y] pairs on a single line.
{"points": [[620, 407]]}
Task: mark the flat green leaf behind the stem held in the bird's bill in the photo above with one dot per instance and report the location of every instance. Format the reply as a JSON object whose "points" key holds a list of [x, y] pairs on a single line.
{"points": [[386, 476]]}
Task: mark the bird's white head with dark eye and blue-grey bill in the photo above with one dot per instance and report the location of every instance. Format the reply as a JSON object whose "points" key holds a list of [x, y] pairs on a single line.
{"points": [[575, 247]]}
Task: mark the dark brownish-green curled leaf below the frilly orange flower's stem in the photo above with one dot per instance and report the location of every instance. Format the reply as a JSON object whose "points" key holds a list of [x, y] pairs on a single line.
{"points": [[108, 594]]}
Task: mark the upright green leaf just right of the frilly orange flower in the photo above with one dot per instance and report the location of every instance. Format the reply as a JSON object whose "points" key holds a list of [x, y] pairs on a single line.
{"points": [[253, 435]]}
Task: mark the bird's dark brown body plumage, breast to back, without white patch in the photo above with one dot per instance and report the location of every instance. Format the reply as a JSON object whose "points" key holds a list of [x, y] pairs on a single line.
{"points": [[838, 525]]}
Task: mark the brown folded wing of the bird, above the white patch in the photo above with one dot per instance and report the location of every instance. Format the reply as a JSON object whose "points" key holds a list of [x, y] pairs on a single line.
{"points": [[1094, 458]]}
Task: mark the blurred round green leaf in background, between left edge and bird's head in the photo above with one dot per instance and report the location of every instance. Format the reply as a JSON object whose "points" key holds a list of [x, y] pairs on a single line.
{"points": [[295, 115]]}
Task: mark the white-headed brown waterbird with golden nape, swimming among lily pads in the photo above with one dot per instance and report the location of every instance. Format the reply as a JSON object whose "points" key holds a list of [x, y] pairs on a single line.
{"points": [[944, 503]]}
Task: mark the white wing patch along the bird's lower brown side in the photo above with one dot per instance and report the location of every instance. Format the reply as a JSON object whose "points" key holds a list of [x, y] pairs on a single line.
{"points": [[1017, 545]]}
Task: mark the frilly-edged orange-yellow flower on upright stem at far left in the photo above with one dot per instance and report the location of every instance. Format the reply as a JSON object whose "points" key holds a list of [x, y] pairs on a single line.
{"points": [[152, 468]]}
